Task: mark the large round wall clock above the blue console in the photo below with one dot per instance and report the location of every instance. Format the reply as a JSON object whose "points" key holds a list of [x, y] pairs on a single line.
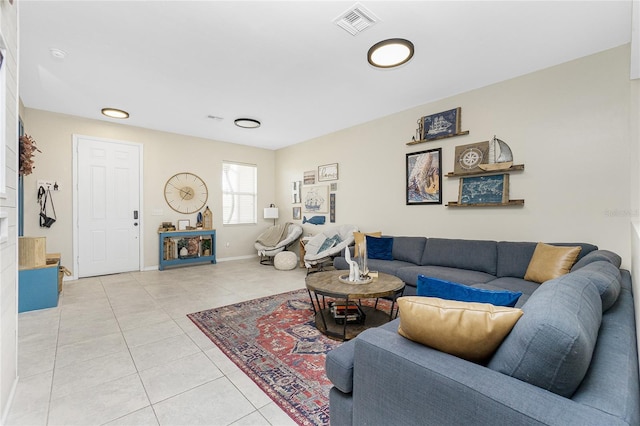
{"points": [[185, 193]]}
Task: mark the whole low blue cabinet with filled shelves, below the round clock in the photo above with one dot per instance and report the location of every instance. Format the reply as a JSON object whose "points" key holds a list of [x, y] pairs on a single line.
{"points": [[186, 247]]}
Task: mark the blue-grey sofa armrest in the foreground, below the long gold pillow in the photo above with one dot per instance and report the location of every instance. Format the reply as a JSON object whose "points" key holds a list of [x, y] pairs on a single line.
{"points": [[420, 385]]}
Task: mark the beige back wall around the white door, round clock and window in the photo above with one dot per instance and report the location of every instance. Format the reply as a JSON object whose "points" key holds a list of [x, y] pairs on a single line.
{"points": [[164, 155]]}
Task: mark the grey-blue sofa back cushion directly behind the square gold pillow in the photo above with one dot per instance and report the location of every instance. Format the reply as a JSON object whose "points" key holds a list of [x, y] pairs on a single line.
{"points": [[514, 257]]}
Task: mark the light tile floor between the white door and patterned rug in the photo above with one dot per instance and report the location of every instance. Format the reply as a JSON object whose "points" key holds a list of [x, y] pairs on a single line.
{"points": [[119, 350]]}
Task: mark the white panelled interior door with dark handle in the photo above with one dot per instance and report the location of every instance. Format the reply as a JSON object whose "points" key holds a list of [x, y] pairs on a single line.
{"points": [[108, 206]]}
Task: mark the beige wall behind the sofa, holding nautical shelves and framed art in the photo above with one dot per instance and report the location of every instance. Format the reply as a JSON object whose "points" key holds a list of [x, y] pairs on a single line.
{"points": [[569, 126]]}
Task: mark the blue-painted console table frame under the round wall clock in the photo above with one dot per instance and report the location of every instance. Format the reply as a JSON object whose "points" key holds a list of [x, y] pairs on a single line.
{"points": [[169, 254]]}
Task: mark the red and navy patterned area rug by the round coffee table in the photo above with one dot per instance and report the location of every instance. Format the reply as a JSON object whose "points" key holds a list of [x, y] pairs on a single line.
{"points": [[275, 342]]}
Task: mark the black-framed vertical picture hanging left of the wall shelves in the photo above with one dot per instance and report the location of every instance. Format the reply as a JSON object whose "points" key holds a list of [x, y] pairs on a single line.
{"points": [[424, 173]]}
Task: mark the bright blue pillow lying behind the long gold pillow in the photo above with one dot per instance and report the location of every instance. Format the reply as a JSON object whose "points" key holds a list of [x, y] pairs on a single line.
{"points": [[434, 287]]}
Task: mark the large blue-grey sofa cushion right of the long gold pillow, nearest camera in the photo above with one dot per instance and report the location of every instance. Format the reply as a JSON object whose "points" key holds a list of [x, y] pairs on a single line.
{"points": [[552, 344]]}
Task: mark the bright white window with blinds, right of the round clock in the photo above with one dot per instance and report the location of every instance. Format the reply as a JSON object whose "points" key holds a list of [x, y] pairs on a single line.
{"points": [[239, 193]]}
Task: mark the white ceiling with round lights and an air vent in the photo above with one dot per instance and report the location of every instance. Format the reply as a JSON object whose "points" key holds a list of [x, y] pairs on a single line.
{"points": [[173, 63]]}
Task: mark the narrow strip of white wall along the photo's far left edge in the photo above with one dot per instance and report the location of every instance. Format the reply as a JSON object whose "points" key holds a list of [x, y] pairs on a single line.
{"points": [[8, 210]]}
